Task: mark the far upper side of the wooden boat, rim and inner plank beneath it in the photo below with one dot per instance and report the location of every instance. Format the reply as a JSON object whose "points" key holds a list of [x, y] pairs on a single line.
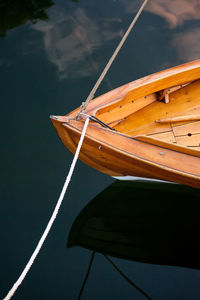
{"points": [[145, 86]]}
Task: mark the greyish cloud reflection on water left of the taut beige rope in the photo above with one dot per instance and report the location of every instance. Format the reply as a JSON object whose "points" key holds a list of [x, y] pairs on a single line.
{"points": [[71, 39]]}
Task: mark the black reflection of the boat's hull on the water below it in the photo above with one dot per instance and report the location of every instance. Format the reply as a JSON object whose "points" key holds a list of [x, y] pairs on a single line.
{"points": [[149, 222]]}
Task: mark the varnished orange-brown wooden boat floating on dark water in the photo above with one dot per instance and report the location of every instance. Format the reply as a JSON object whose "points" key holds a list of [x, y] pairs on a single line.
{"points": [[154, 128]]}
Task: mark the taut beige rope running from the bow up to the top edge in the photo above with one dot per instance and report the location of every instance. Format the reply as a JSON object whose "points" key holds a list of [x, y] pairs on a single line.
{"points": [[108, 65]]}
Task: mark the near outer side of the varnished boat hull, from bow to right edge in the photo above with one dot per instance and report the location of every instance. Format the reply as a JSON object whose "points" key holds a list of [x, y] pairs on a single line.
{"points": [[122, 155]]}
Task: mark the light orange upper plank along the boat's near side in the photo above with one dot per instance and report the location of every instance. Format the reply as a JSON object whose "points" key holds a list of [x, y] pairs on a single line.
{"points": [[144, 151]]}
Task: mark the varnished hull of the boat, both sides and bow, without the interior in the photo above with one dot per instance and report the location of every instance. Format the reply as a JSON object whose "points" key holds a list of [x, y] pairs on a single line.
{"points": [[118, 154]]}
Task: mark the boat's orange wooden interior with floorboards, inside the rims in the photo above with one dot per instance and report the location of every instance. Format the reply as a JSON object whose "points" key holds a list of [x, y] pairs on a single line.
{"points": [[171, 115]]}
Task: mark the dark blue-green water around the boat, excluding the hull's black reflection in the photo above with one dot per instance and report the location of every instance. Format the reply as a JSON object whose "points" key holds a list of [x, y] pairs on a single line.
{"points": [[50, 56]]}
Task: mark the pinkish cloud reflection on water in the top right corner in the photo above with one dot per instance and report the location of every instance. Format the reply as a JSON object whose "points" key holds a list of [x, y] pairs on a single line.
{"points": [[178, 13]]}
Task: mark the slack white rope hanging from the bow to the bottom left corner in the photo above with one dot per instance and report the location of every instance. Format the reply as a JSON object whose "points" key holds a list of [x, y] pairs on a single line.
{"points": [[53, 217]]}
